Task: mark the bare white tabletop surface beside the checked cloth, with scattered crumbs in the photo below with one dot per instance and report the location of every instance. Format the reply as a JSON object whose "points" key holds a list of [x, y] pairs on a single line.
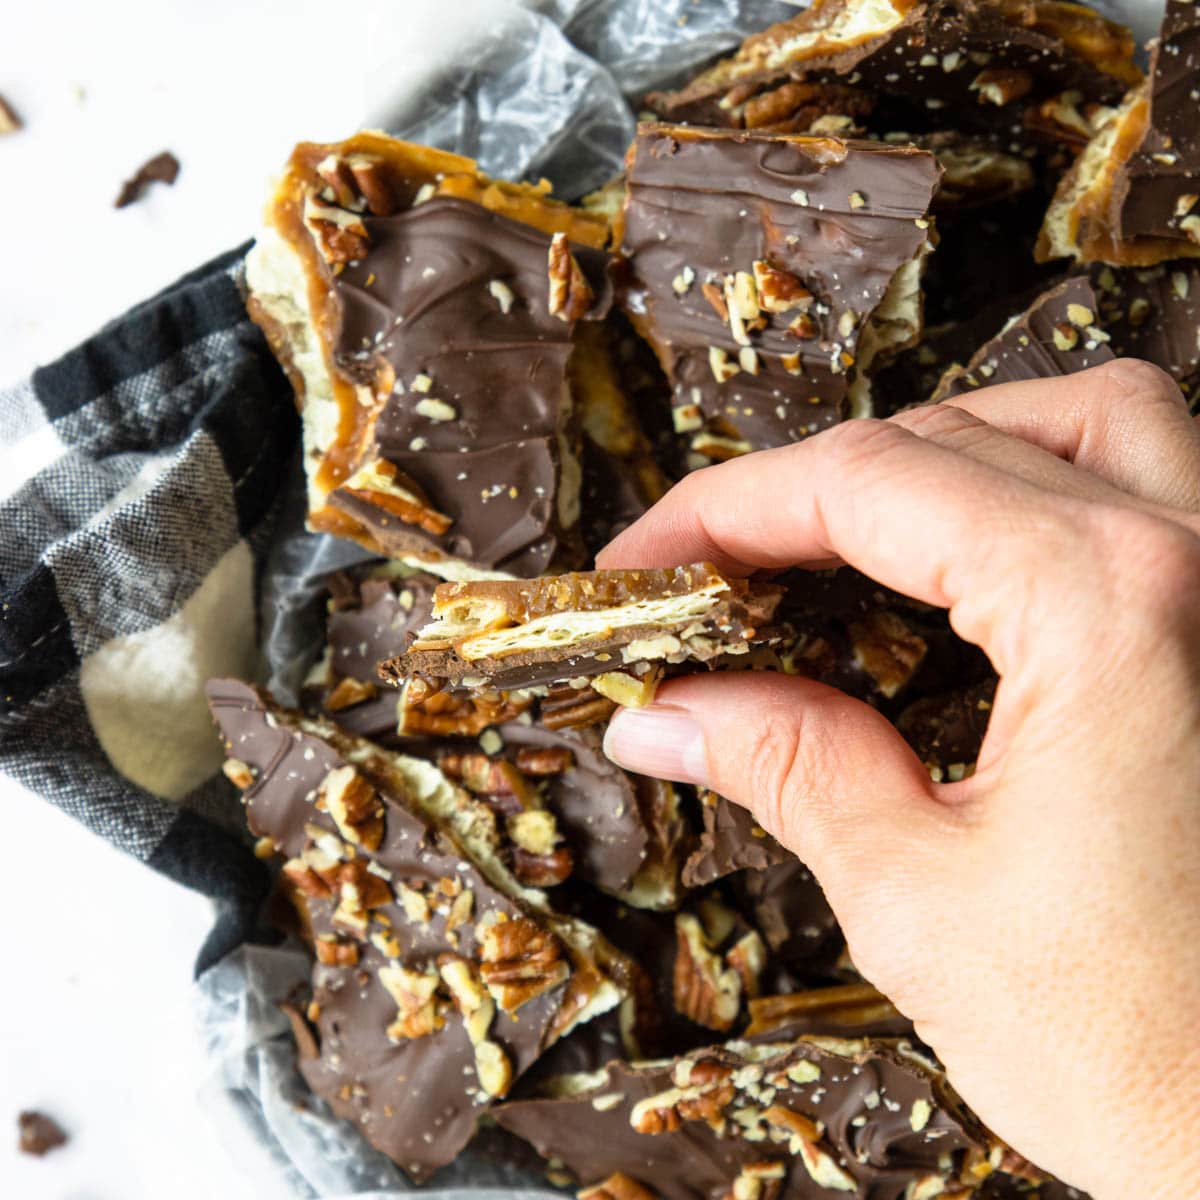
{"points": [[97, 958]]}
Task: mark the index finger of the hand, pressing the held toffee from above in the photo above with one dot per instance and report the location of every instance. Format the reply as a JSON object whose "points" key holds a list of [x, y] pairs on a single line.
{"points": [[916, 517]]}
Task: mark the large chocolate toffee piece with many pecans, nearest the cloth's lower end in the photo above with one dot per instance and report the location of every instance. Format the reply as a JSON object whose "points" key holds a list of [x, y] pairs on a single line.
{"points": [[440, 979]]}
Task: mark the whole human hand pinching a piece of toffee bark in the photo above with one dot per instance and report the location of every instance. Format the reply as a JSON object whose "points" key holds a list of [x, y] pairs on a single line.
{"points": [[1040, 921]]}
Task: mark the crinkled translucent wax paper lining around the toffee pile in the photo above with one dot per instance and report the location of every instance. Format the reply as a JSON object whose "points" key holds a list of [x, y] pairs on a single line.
{"points": [[548, 91]]}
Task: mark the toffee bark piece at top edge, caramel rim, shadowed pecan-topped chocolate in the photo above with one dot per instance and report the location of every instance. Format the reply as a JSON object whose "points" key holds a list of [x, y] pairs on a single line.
{"points": [[983, 63]]}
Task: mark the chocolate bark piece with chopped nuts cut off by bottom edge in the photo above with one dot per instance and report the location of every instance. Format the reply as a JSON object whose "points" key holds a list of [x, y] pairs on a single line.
{"points": [[809, 1118]]}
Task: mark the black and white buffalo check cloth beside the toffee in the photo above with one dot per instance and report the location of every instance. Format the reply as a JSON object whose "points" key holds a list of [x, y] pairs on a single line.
{"points": [[141, 479]]}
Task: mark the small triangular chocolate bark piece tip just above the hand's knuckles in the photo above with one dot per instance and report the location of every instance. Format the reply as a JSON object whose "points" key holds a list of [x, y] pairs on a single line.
{"points": [[1058, 335]]}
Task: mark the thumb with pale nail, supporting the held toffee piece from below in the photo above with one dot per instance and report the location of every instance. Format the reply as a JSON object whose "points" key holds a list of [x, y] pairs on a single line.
{"points": [[827, 776]]}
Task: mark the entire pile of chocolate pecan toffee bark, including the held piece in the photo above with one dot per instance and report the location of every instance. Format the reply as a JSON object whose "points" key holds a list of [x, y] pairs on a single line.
{"points": [[874, 205]]}
